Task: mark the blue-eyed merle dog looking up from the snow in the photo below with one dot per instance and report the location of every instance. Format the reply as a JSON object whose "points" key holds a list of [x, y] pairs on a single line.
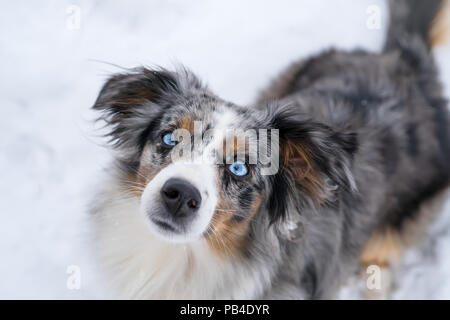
{"points": [[359, 141]]}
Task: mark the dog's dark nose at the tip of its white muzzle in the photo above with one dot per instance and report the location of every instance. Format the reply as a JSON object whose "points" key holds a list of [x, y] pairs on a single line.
{"points": [[180, 197]]}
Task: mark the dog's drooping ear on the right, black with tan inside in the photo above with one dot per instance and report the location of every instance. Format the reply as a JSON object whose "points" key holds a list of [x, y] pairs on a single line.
{"points": [[315, 161]]}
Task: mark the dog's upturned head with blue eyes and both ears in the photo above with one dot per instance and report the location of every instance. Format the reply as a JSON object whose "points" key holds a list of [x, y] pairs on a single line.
{"points": [[205, 168]]}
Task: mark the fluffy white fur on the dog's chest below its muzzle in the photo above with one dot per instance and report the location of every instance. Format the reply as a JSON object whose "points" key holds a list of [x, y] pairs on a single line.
{"points": [[138, 265]]}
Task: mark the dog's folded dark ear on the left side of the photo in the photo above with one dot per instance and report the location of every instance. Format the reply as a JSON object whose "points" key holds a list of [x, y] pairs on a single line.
{"points": [[130, 101]]}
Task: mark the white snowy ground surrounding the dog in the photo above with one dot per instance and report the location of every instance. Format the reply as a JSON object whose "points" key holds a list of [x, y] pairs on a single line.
{"points": [[51, 155]]}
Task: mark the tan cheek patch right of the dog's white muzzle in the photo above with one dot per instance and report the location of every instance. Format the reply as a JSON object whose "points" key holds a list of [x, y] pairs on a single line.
{"points": [[228, 237]]}
